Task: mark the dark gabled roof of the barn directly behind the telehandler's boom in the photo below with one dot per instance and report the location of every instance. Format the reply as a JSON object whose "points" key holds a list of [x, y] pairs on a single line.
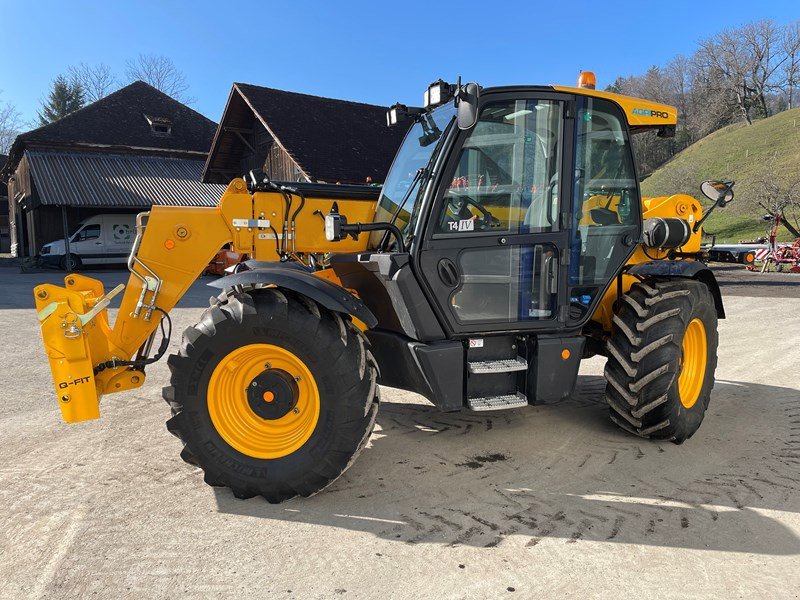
{"points": [[329, 140]]}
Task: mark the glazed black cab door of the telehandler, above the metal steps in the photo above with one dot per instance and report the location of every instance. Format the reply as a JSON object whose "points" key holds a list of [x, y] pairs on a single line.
{"points": [[496, 241]]}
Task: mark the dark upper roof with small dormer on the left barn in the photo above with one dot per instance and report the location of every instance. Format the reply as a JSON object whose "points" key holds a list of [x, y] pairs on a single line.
{"points": [[120, 120]]}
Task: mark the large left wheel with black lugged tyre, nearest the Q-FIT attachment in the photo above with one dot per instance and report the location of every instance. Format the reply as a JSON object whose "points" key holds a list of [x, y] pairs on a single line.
{"points": [[332, 350]]}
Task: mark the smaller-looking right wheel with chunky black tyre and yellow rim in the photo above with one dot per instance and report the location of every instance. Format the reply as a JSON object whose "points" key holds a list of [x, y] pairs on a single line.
{"points": [[663, 343]]}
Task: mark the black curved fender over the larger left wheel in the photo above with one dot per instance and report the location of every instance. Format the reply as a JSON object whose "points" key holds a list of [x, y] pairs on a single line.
{"points": [[295, 278]]}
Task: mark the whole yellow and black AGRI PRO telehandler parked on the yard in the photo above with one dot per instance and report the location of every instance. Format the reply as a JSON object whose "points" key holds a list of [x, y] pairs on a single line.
{"points": [[508, 242]]}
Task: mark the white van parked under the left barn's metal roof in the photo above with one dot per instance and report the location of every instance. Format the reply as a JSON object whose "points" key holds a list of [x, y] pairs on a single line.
{"points": [[100, 240]]}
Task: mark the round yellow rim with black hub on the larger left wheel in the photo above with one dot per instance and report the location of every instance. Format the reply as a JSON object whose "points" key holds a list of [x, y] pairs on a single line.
{"points": [[253, 380]]}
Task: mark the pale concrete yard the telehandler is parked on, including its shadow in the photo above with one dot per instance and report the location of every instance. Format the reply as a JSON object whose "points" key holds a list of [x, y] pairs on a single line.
{"points": [[547, 501]]}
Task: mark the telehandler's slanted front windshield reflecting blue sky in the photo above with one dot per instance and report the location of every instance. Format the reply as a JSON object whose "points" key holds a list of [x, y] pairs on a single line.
{"points": [[401, 192]]}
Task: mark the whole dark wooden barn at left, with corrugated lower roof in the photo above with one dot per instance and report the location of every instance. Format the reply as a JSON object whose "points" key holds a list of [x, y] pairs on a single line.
{"points": [[122, 154]]}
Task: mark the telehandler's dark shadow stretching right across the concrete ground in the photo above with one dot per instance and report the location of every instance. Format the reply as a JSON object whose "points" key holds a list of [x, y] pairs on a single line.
{"points": [[563, 471]]}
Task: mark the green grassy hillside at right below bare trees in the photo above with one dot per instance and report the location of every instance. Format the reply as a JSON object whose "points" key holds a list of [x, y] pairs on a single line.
{"points": [[740, 152]]}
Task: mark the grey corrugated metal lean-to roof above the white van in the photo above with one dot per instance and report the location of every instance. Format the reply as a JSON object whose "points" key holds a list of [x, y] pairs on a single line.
{"points": [[117, 180]]}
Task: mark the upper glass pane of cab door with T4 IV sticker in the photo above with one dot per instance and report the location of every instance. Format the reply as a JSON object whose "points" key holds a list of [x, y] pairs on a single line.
{"points": [[506, 176]]}
